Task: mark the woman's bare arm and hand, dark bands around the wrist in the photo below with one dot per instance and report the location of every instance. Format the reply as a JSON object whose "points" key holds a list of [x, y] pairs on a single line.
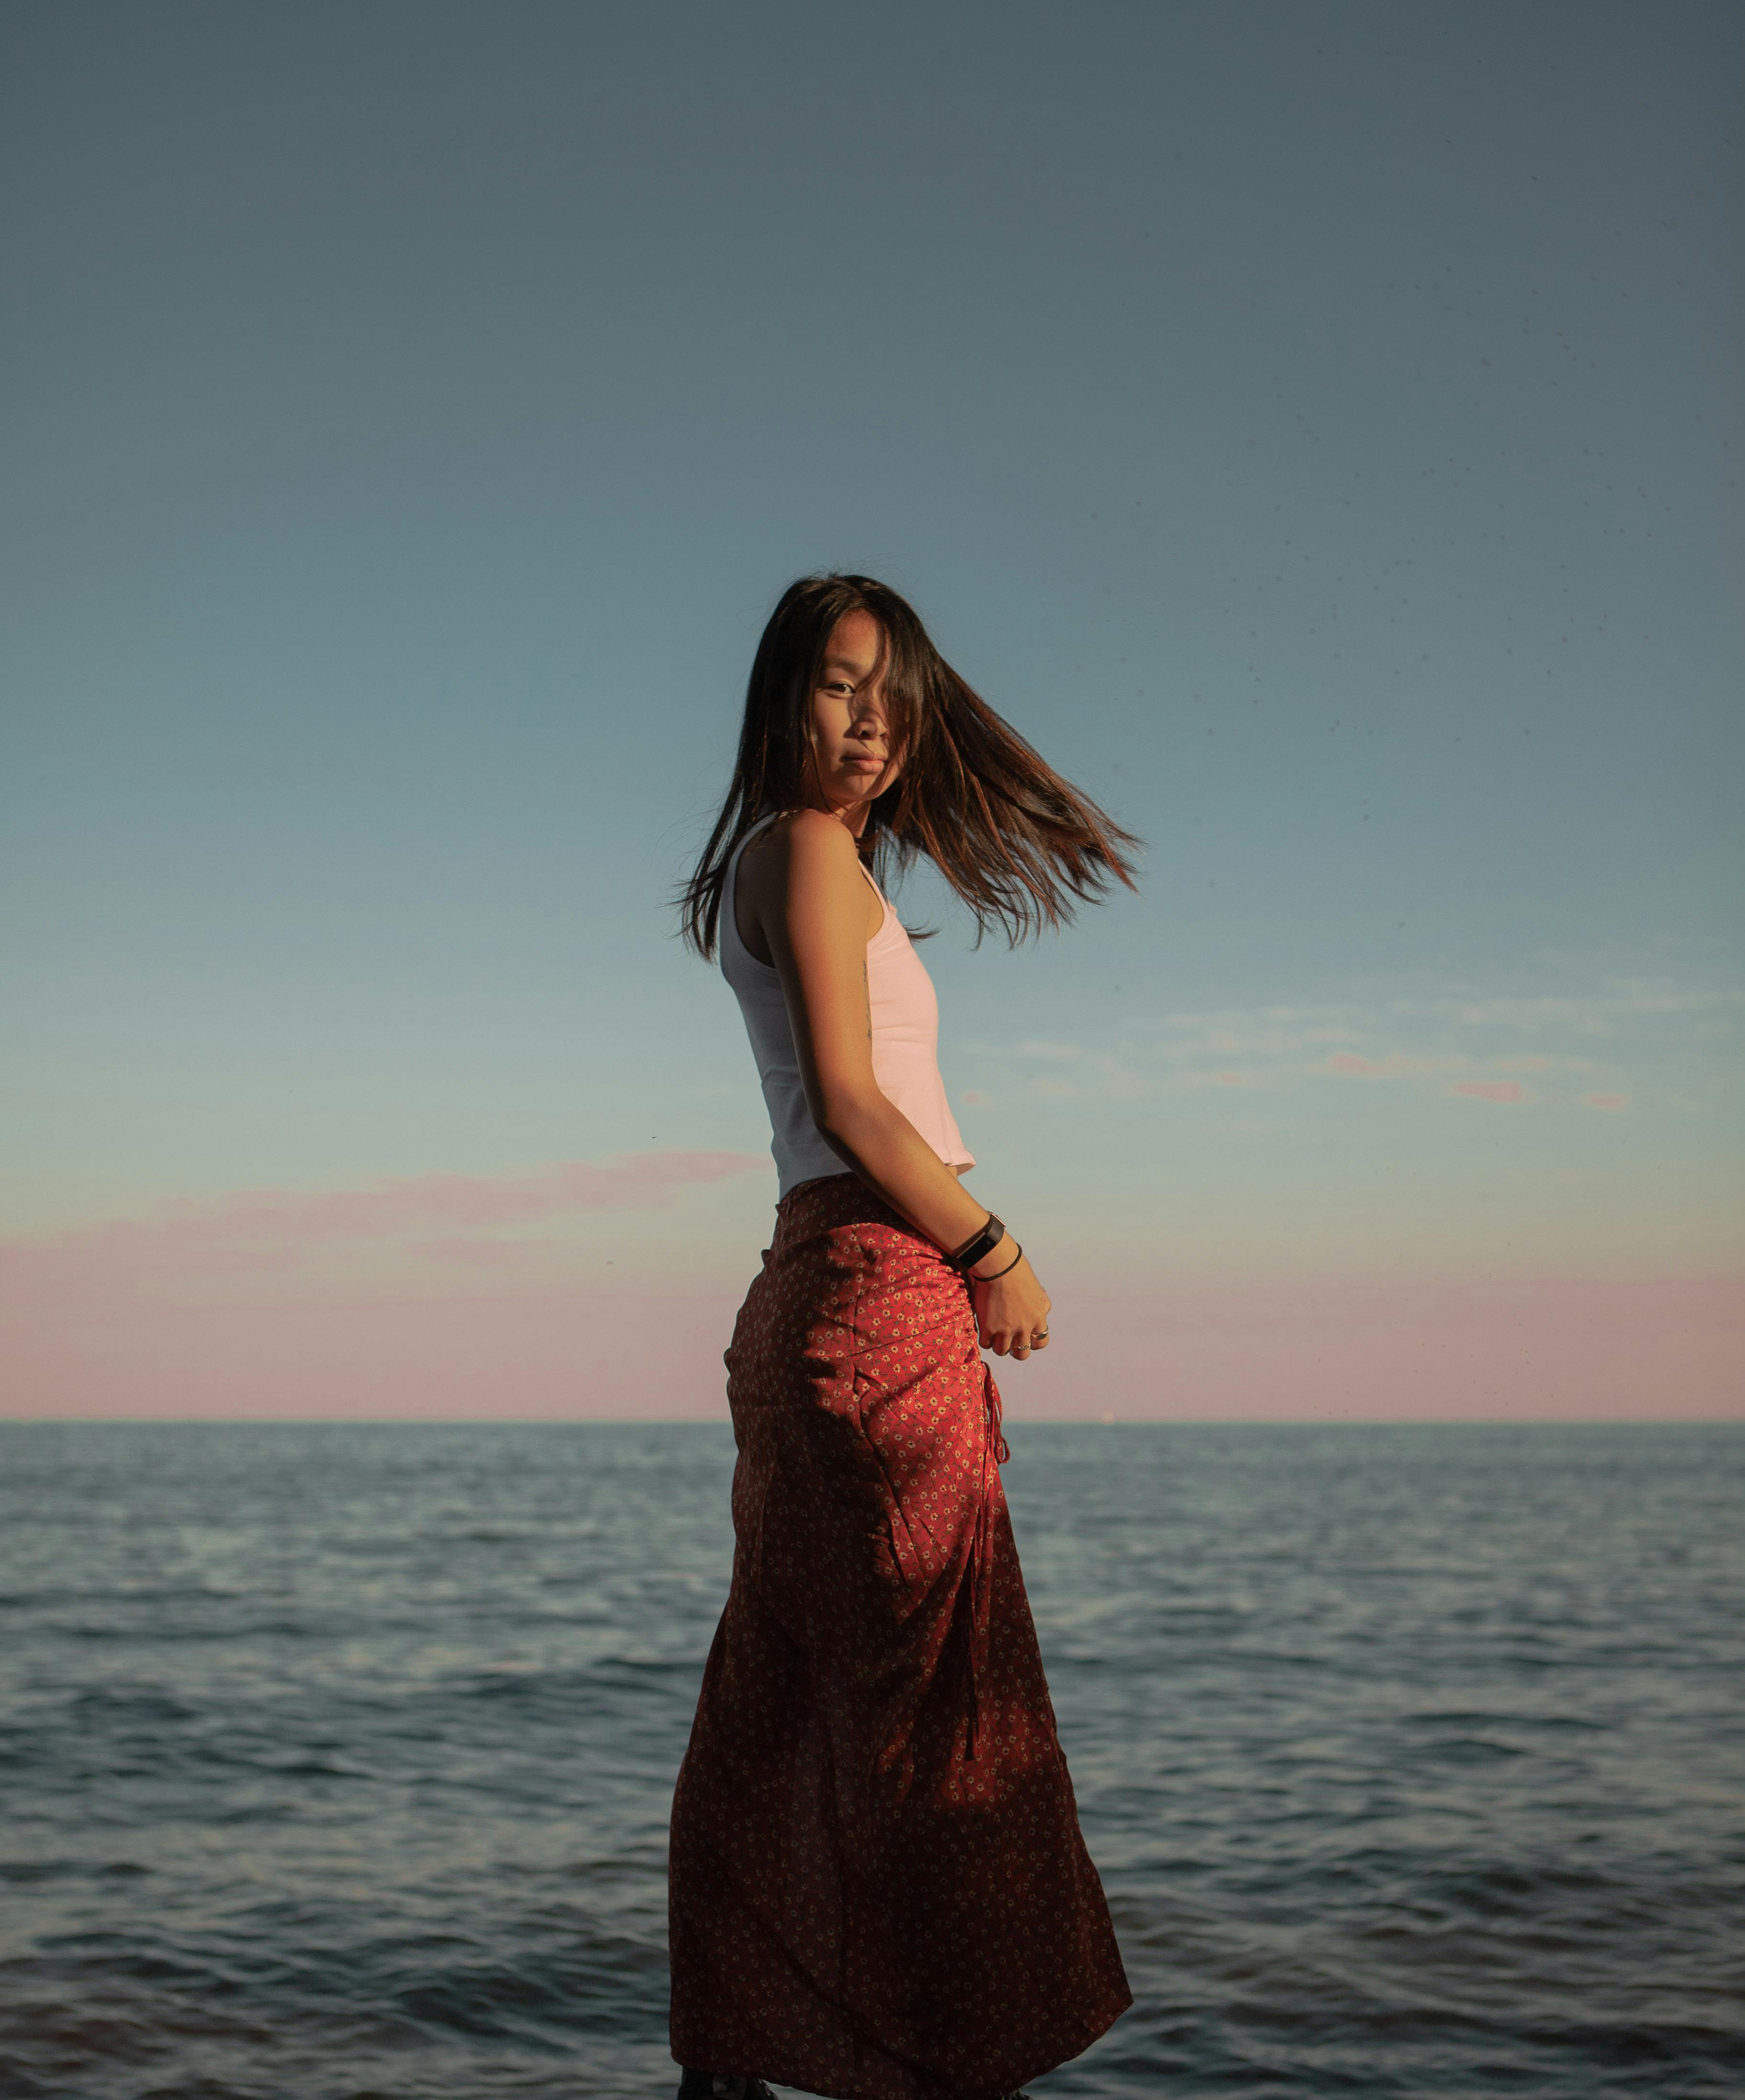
{"points": [[816, 925]]}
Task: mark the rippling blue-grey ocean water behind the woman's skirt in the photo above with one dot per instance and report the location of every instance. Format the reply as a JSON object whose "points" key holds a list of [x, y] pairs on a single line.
{"points": [[337, 1759]]}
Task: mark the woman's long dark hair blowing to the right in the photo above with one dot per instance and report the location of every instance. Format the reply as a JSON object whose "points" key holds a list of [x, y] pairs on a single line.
{"points": [[1015, 841]]}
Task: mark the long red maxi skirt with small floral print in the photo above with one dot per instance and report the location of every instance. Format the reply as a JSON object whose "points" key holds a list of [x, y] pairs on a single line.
{"points": [[879, 1889]]}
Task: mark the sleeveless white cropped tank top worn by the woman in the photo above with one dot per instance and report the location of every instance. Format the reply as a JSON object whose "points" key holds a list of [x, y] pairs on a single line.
{"points": [[906, 1043]]}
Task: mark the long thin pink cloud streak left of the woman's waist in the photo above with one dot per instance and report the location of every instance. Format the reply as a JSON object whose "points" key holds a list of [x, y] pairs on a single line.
{"points": [[259, 1232]]}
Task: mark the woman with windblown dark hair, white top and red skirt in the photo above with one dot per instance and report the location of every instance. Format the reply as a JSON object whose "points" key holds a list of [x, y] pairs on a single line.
{"points": [[879, 1889]]}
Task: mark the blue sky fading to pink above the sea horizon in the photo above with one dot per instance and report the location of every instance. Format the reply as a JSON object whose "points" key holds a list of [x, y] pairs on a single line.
{"points": [[1316, 425]]}
